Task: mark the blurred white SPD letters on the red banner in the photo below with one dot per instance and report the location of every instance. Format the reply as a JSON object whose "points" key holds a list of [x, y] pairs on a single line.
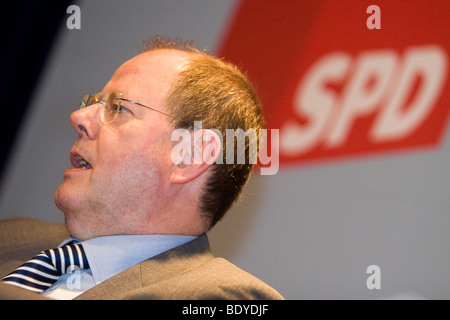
{"points": [[375, 82]]}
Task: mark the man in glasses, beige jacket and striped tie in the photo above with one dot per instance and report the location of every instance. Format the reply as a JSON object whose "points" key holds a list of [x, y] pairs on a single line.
{"points": [[136, 204]]}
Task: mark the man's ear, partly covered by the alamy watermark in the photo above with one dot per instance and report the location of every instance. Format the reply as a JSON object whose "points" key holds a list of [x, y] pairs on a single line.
{"points": [[195, 157]]}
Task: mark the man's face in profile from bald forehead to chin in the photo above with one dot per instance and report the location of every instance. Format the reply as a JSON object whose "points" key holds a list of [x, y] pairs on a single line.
{"points": [[126, 182]]}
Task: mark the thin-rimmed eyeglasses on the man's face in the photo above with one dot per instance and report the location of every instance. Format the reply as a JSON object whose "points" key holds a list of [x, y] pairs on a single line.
{"points": [[111, 105]]}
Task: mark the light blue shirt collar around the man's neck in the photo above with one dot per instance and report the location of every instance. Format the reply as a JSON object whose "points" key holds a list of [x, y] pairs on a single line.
{"points": [[110, 255]]}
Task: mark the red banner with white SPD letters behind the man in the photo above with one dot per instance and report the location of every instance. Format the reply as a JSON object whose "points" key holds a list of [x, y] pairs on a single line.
{"points": [[346, 78]]}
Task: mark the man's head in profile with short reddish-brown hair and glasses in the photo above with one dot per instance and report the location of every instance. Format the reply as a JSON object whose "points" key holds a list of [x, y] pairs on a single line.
{"points": [[131, 184]]}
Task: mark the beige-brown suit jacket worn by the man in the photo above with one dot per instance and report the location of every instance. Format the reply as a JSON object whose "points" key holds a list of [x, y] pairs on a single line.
{"points": [[187, 272]]}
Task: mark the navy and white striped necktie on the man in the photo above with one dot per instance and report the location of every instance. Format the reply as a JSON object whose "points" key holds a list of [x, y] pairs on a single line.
{"points": [[41, 272]]}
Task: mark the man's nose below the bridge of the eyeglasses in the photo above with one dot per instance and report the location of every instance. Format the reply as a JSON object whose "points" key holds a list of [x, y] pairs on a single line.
{"points": [[86, 121]]}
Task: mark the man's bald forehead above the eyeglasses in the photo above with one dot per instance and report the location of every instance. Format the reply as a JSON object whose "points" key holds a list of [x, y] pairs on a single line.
{"points": [[148, 76]]}
